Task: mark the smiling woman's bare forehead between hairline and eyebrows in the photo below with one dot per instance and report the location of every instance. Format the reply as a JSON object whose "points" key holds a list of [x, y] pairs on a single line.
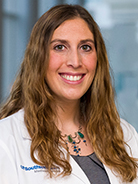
{"points": [[73, 28]]}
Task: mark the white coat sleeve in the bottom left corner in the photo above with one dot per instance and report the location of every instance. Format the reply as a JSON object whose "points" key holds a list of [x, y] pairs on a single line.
{"points": [[8, 172]]}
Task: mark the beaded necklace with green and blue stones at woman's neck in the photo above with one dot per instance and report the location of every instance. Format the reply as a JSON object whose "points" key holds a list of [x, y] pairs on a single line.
{"points": [[74, 141]]}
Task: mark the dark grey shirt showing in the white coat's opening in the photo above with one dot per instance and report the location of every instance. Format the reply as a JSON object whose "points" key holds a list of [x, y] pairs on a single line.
{"points": [[93, 168]]}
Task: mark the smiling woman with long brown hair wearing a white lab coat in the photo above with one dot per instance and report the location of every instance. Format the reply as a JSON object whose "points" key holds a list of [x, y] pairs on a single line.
{"points": [[60, 123]]}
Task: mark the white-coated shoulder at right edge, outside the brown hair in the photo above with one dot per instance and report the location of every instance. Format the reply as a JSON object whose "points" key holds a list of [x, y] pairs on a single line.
{"points": [[130, 138]]}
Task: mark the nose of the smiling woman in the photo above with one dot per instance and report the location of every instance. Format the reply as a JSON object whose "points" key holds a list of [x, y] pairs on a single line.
{"points": [[74, 59]]}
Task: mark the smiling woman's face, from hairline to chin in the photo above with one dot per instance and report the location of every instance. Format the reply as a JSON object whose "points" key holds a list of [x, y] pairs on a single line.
{"points": [[72, 61]]}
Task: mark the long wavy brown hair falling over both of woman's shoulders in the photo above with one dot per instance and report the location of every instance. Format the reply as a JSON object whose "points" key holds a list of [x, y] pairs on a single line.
{"points": [[31, 92]]}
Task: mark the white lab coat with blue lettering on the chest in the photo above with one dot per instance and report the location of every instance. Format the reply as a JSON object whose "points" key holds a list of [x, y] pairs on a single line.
{"points": [[16, 166]]}
